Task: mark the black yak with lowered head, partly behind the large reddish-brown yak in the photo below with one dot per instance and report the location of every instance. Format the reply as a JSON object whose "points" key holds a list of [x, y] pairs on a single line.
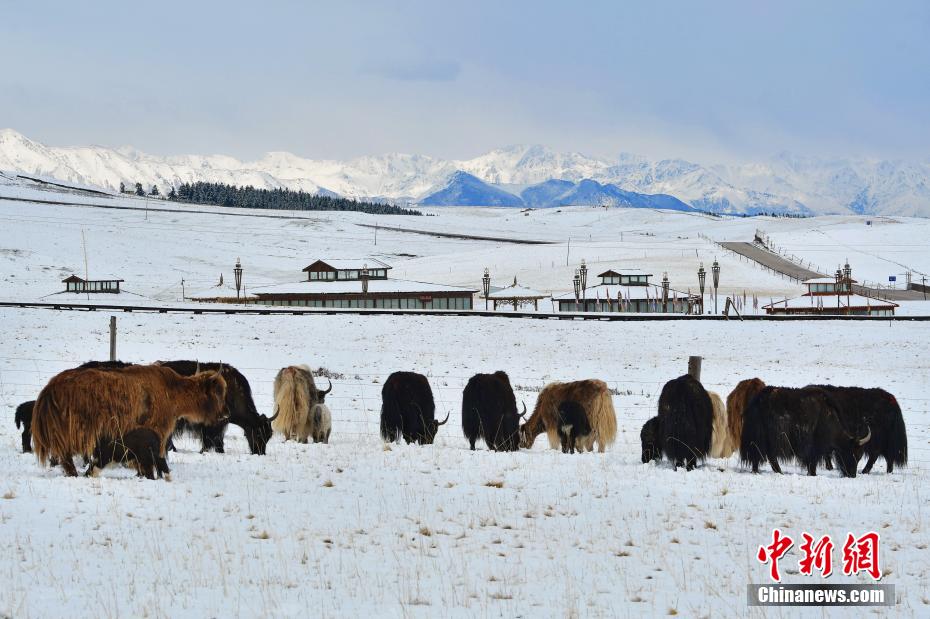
{"points": [[239, 403]]}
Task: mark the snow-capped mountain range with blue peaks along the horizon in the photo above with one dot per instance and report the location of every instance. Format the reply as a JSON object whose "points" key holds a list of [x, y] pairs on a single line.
{"points": [[515, 176]]}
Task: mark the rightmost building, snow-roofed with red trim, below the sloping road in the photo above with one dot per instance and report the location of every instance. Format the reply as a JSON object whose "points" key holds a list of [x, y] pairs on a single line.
{"points": [[832, 296]]}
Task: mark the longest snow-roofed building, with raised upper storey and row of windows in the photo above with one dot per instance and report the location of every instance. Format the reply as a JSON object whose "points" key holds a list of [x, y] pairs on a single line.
{"points": [[360, 284]]}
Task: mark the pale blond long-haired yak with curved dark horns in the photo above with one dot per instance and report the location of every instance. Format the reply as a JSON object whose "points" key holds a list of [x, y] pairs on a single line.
{"points": [[295, 401]]}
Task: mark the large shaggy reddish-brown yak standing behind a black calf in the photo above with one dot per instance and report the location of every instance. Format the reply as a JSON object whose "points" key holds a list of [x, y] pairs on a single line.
{"points": [[78, 408]]}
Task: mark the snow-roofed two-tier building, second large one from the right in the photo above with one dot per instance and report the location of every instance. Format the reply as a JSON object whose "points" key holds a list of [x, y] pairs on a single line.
{"points": [[627, 290]]}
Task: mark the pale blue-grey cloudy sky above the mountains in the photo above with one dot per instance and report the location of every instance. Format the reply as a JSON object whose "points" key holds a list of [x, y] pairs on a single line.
{"points": [[711, 81]]}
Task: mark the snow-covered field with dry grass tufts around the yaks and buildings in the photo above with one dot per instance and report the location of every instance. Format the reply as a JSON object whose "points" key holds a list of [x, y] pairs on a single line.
{"points": [[359, 529]]}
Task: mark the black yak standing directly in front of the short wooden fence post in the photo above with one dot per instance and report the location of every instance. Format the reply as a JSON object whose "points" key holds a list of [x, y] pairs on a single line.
{"points": [[687, 416]]}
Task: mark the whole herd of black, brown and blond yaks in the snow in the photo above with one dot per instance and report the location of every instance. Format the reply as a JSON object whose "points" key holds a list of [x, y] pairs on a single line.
{"points": [[128, 413]]}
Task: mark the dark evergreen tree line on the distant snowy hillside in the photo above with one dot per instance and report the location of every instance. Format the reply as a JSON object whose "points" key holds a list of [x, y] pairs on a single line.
{"points": [[220, 194]]}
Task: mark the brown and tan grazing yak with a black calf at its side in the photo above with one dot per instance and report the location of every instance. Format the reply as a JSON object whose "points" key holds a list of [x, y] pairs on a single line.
{"points": [[592, 395]]}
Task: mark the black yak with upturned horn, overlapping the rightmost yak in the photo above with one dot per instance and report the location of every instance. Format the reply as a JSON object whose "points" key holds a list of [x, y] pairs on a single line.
{"points": [[783, 424]]}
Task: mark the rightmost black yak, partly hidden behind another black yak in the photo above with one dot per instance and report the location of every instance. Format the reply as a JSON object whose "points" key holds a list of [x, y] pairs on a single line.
{"points": [[878, 410]]}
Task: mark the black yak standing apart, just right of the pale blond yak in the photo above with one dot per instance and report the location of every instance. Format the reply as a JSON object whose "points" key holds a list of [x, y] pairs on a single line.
{"points": [[408, 409]]}
